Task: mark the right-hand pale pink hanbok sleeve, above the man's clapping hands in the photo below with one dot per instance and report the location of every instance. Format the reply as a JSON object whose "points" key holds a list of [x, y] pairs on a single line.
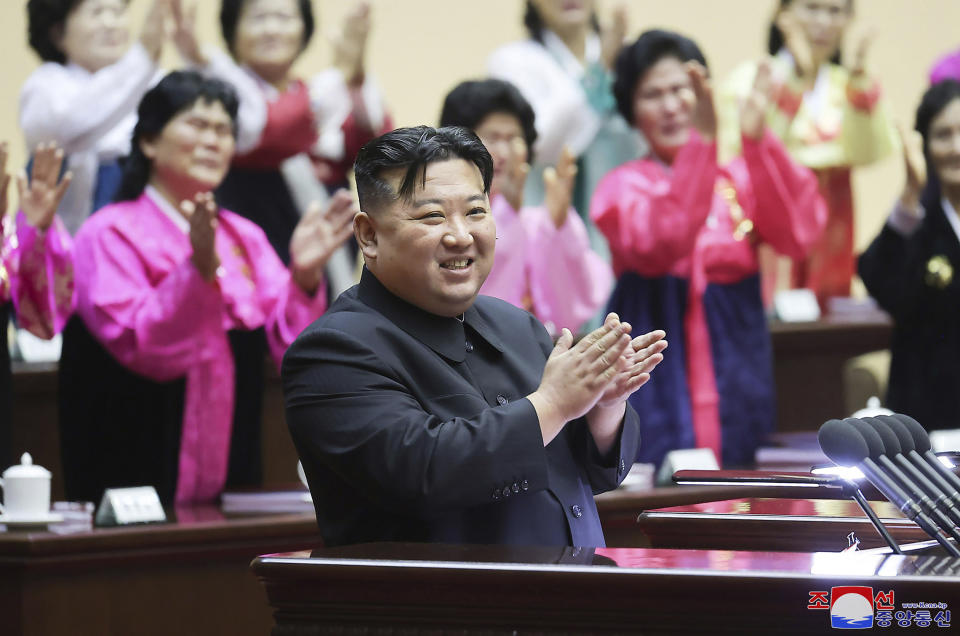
{"points": [[569, 282]]}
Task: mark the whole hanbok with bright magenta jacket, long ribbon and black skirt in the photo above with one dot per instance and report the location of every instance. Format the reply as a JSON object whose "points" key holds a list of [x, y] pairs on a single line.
{"points": [[143, 301]]}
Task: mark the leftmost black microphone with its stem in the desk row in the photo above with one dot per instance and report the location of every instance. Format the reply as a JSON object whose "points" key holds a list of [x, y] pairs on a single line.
{"points": [[845, 446]]}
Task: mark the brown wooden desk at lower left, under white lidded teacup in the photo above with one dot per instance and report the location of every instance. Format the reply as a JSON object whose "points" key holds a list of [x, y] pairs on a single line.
{"points": [[187, 577]]}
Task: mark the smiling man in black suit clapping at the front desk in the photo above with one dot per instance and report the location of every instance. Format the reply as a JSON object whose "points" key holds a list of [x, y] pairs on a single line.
{"points": [[424, 412]]}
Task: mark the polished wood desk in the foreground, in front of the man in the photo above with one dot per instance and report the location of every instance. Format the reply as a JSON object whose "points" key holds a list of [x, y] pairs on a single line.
{"points": [[437, 589]]}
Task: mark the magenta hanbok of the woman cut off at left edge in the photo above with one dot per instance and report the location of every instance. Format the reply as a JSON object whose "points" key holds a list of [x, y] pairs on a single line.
{"points": [[36, 278]]}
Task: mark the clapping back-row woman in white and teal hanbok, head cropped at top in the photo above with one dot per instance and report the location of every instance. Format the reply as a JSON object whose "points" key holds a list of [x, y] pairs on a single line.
{"points": [[564, 70]]}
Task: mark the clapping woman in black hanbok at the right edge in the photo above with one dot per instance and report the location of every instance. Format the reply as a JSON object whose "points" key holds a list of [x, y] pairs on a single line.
{"points": [[911, 266]]}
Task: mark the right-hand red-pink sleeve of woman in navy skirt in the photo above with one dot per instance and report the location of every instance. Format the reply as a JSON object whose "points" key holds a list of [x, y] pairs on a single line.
{"points": [[789, 212]]}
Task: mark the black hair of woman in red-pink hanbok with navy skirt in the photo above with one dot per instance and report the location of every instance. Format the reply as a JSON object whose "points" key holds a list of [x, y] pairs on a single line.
{"points": [[635, 60]]}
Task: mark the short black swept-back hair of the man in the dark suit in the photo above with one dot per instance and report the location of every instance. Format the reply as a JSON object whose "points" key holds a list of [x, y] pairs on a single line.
{"points": [[411, 150]]}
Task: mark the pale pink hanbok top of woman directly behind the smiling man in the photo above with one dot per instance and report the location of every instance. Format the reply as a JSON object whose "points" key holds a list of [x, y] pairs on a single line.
{"points": [[551, 272]]}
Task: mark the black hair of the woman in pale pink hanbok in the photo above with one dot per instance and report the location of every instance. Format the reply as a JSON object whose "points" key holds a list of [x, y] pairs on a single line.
{"points": [[471, 102]]}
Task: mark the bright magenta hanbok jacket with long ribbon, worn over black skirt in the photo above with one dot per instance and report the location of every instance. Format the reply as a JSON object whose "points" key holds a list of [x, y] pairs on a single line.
{"points": [[141, 297]]}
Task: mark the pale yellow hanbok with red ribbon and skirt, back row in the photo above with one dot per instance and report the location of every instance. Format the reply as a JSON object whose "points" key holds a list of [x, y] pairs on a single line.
{"points": [[839, 124]]}
